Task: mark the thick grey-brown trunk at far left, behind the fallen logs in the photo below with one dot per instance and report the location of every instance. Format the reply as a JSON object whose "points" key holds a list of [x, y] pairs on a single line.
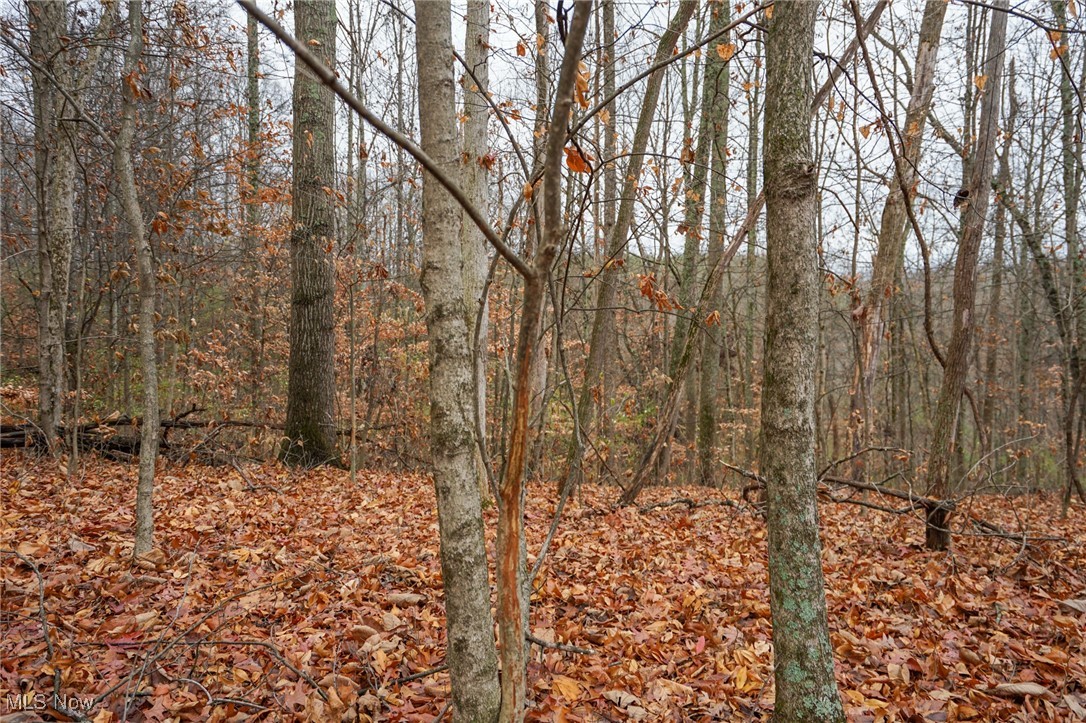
{"points": [[55, 161]]}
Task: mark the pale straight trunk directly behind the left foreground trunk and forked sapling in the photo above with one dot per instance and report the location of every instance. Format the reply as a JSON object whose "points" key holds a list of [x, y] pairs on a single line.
{"points": [[476, 185]]}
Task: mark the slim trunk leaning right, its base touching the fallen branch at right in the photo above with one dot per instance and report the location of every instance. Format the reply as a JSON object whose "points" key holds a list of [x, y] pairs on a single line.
{"points": [[974, 211]]}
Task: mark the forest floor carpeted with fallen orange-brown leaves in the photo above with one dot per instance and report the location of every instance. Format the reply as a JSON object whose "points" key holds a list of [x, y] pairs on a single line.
{"points": [[297, 597]]}
